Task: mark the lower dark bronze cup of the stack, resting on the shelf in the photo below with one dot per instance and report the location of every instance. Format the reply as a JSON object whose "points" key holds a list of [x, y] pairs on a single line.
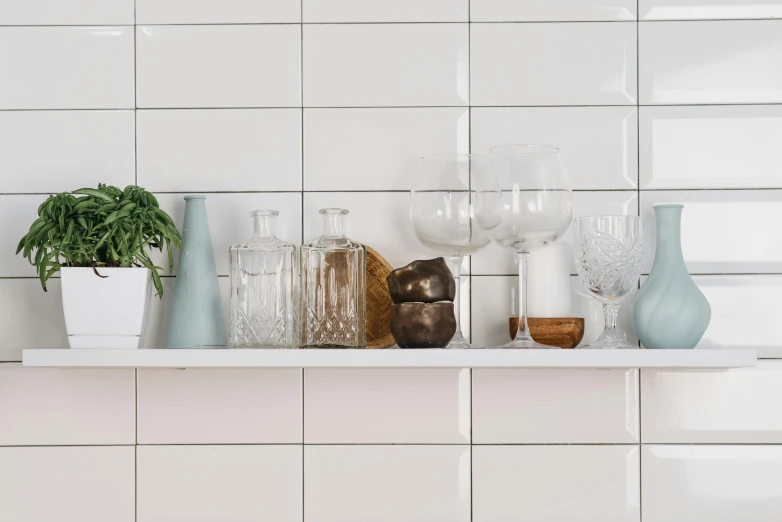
{"points": [[423, 325]]}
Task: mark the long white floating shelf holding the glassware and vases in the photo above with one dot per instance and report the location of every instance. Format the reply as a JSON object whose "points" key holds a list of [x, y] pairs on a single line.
{"points": [[705, 359]]}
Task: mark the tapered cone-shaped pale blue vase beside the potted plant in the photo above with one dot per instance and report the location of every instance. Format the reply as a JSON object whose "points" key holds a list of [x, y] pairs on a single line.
{"points": [[197, 312]]}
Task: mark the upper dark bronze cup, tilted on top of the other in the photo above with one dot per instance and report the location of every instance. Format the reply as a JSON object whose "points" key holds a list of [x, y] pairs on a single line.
{"points": [[426, 281]]}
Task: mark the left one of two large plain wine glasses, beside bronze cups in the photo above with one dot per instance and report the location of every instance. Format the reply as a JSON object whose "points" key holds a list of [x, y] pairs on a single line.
{"points": [[443, 216]]}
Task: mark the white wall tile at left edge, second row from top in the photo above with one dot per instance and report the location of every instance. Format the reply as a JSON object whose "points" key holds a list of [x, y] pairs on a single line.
{"points": [[75, 68]]}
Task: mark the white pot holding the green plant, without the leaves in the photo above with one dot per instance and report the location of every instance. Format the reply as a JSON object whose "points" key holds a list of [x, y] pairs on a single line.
{"points": [[106, 312]]}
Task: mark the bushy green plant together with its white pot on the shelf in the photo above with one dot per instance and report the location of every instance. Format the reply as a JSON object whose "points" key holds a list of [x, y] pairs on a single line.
{"points": [[100, 240]]}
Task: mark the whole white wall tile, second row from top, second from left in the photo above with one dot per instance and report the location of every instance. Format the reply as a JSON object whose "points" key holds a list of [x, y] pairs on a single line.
{"points": [[218, 66]]}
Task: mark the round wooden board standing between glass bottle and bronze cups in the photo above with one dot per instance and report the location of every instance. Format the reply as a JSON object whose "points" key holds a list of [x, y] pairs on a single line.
{"points": [[378, 301]]}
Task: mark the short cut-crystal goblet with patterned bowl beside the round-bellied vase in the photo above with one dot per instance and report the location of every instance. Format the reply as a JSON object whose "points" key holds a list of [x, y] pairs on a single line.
{"points": [[608, 259]]}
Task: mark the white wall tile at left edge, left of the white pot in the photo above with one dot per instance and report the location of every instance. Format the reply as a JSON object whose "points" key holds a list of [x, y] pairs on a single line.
{"points": [[25, 308]]}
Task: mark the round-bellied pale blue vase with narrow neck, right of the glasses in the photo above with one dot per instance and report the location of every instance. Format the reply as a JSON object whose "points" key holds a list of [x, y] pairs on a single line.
{"points": [[669, 311]]}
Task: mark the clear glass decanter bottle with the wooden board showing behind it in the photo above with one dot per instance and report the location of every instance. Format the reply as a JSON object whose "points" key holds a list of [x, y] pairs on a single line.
{"points": [[333, 289]]}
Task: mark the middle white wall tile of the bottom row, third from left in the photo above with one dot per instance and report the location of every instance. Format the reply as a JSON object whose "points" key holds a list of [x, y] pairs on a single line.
{"points": [[399, 483]]}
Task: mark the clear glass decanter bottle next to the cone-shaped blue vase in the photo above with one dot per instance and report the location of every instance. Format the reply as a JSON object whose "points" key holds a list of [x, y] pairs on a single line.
{"points": [[264, 288]]}
